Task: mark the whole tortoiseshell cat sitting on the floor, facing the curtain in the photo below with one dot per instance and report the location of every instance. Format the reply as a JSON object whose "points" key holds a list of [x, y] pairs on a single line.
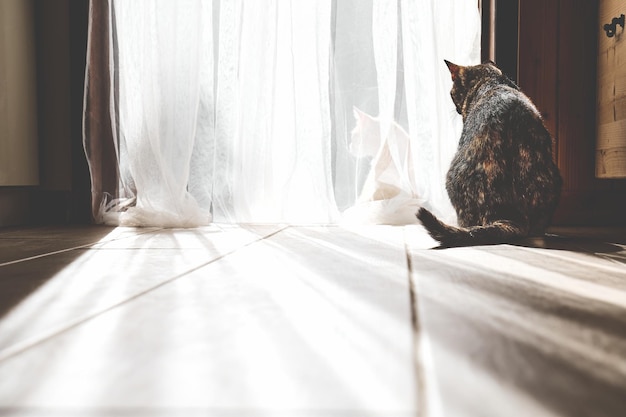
{"points": [[502, 182]]}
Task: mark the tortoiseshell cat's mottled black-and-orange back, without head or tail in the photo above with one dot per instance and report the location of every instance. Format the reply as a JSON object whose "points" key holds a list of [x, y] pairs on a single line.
{"points": [[506, 132]]}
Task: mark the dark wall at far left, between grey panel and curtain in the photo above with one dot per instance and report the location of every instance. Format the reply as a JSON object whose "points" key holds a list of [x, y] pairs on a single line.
{"points": [[63, 194]]}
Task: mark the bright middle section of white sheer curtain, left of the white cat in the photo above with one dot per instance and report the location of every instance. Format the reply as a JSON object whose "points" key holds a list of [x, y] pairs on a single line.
{"points": [[273, 118]]}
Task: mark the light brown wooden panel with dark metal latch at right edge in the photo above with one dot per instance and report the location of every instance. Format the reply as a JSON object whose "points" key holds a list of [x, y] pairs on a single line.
{"points": [[611, 99]]}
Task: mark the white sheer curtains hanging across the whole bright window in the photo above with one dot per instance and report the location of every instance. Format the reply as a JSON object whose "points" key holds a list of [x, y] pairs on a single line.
{"points": [[244, 110]]}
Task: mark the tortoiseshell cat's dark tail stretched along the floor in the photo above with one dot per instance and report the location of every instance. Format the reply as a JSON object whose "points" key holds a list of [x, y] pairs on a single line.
{"points": [[501, 231]]}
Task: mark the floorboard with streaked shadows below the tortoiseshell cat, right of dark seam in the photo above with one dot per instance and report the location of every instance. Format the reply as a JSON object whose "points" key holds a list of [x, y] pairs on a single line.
{"points": [[536, 330]]}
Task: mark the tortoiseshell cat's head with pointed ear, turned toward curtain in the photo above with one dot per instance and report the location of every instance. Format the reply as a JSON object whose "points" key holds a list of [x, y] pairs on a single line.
{"points": [[466, 78]]}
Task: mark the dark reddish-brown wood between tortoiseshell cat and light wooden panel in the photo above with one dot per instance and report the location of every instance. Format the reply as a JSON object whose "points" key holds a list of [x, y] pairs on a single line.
{"points": [[558, 41]]}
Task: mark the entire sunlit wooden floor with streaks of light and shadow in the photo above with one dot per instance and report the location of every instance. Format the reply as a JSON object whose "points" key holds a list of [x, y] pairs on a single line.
{"points": [[271, 320]]}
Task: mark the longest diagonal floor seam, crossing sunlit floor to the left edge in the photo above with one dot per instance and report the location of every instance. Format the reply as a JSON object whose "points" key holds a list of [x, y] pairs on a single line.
{"points": [[27, 345]]}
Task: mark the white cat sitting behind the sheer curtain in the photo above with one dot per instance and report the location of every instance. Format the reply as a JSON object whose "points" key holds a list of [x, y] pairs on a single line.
{"points": [[389, 194]]}
